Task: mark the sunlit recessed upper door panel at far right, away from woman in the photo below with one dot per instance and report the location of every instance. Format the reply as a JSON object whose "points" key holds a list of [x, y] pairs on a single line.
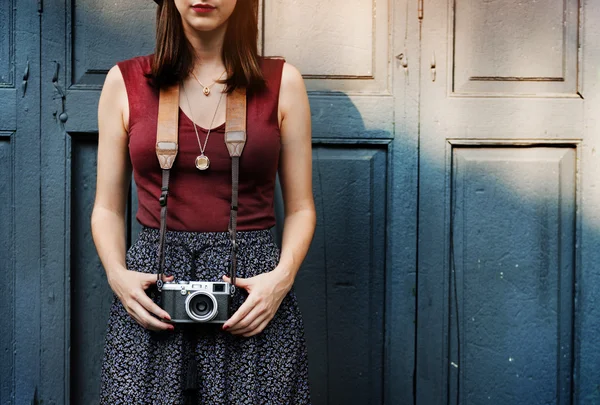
{"points": [[515, 48]]}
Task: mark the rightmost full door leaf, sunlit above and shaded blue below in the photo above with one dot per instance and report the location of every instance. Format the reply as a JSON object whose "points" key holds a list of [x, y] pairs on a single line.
{"points": [[502, 120]]}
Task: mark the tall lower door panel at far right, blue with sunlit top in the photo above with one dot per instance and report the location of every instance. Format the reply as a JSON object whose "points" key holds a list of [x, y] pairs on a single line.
{"points": [[511, 274]]}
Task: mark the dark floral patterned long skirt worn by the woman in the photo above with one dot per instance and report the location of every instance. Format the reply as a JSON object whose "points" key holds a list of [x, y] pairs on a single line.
{"points": [[146, 367]]}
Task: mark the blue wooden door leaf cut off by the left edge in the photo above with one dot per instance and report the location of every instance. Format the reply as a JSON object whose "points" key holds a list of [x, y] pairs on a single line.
{"points": [[20, 247]]}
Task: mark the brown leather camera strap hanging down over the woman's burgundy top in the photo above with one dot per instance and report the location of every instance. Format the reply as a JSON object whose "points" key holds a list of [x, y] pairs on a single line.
{"points": [[166, 151]]}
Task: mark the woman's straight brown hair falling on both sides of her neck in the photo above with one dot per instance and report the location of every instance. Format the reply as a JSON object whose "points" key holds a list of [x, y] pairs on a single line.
{"points": [[174, 55]]}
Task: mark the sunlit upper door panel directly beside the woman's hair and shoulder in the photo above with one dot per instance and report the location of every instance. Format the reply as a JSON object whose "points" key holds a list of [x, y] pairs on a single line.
{"points": [[347, 53]]}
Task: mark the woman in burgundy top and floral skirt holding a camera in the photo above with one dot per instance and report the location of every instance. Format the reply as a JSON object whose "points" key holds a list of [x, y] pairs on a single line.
{"points": [[258, 356]]}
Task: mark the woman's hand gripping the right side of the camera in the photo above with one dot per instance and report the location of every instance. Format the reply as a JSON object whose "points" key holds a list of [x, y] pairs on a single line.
{"points": [[265, 293]]}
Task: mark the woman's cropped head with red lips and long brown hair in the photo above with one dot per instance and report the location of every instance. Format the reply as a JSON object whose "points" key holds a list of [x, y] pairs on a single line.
{"points": [[174, 56]]}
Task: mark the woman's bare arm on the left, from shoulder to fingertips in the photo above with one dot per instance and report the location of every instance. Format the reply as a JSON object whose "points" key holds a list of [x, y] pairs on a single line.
{"points": [[108, 215]]}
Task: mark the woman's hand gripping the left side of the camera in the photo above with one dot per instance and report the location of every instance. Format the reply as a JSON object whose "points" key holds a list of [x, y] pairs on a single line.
{"points": [[130, 287]]}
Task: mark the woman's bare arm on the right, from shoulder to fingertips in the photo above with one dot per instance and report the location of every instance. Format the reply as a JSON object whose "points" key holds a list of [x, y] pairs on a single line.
{"points": [[266, 291]]}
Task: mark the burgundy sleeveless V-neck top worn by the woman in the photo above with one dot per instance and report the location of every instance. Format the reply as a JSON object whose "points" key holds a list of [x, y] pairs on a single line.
{"points": [[200, 201]]}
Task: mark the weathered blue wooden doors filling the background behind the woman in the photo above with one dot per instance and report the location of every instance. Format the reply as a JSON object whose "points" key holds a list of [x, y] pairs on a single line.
{"points": [[452, 142]]}
